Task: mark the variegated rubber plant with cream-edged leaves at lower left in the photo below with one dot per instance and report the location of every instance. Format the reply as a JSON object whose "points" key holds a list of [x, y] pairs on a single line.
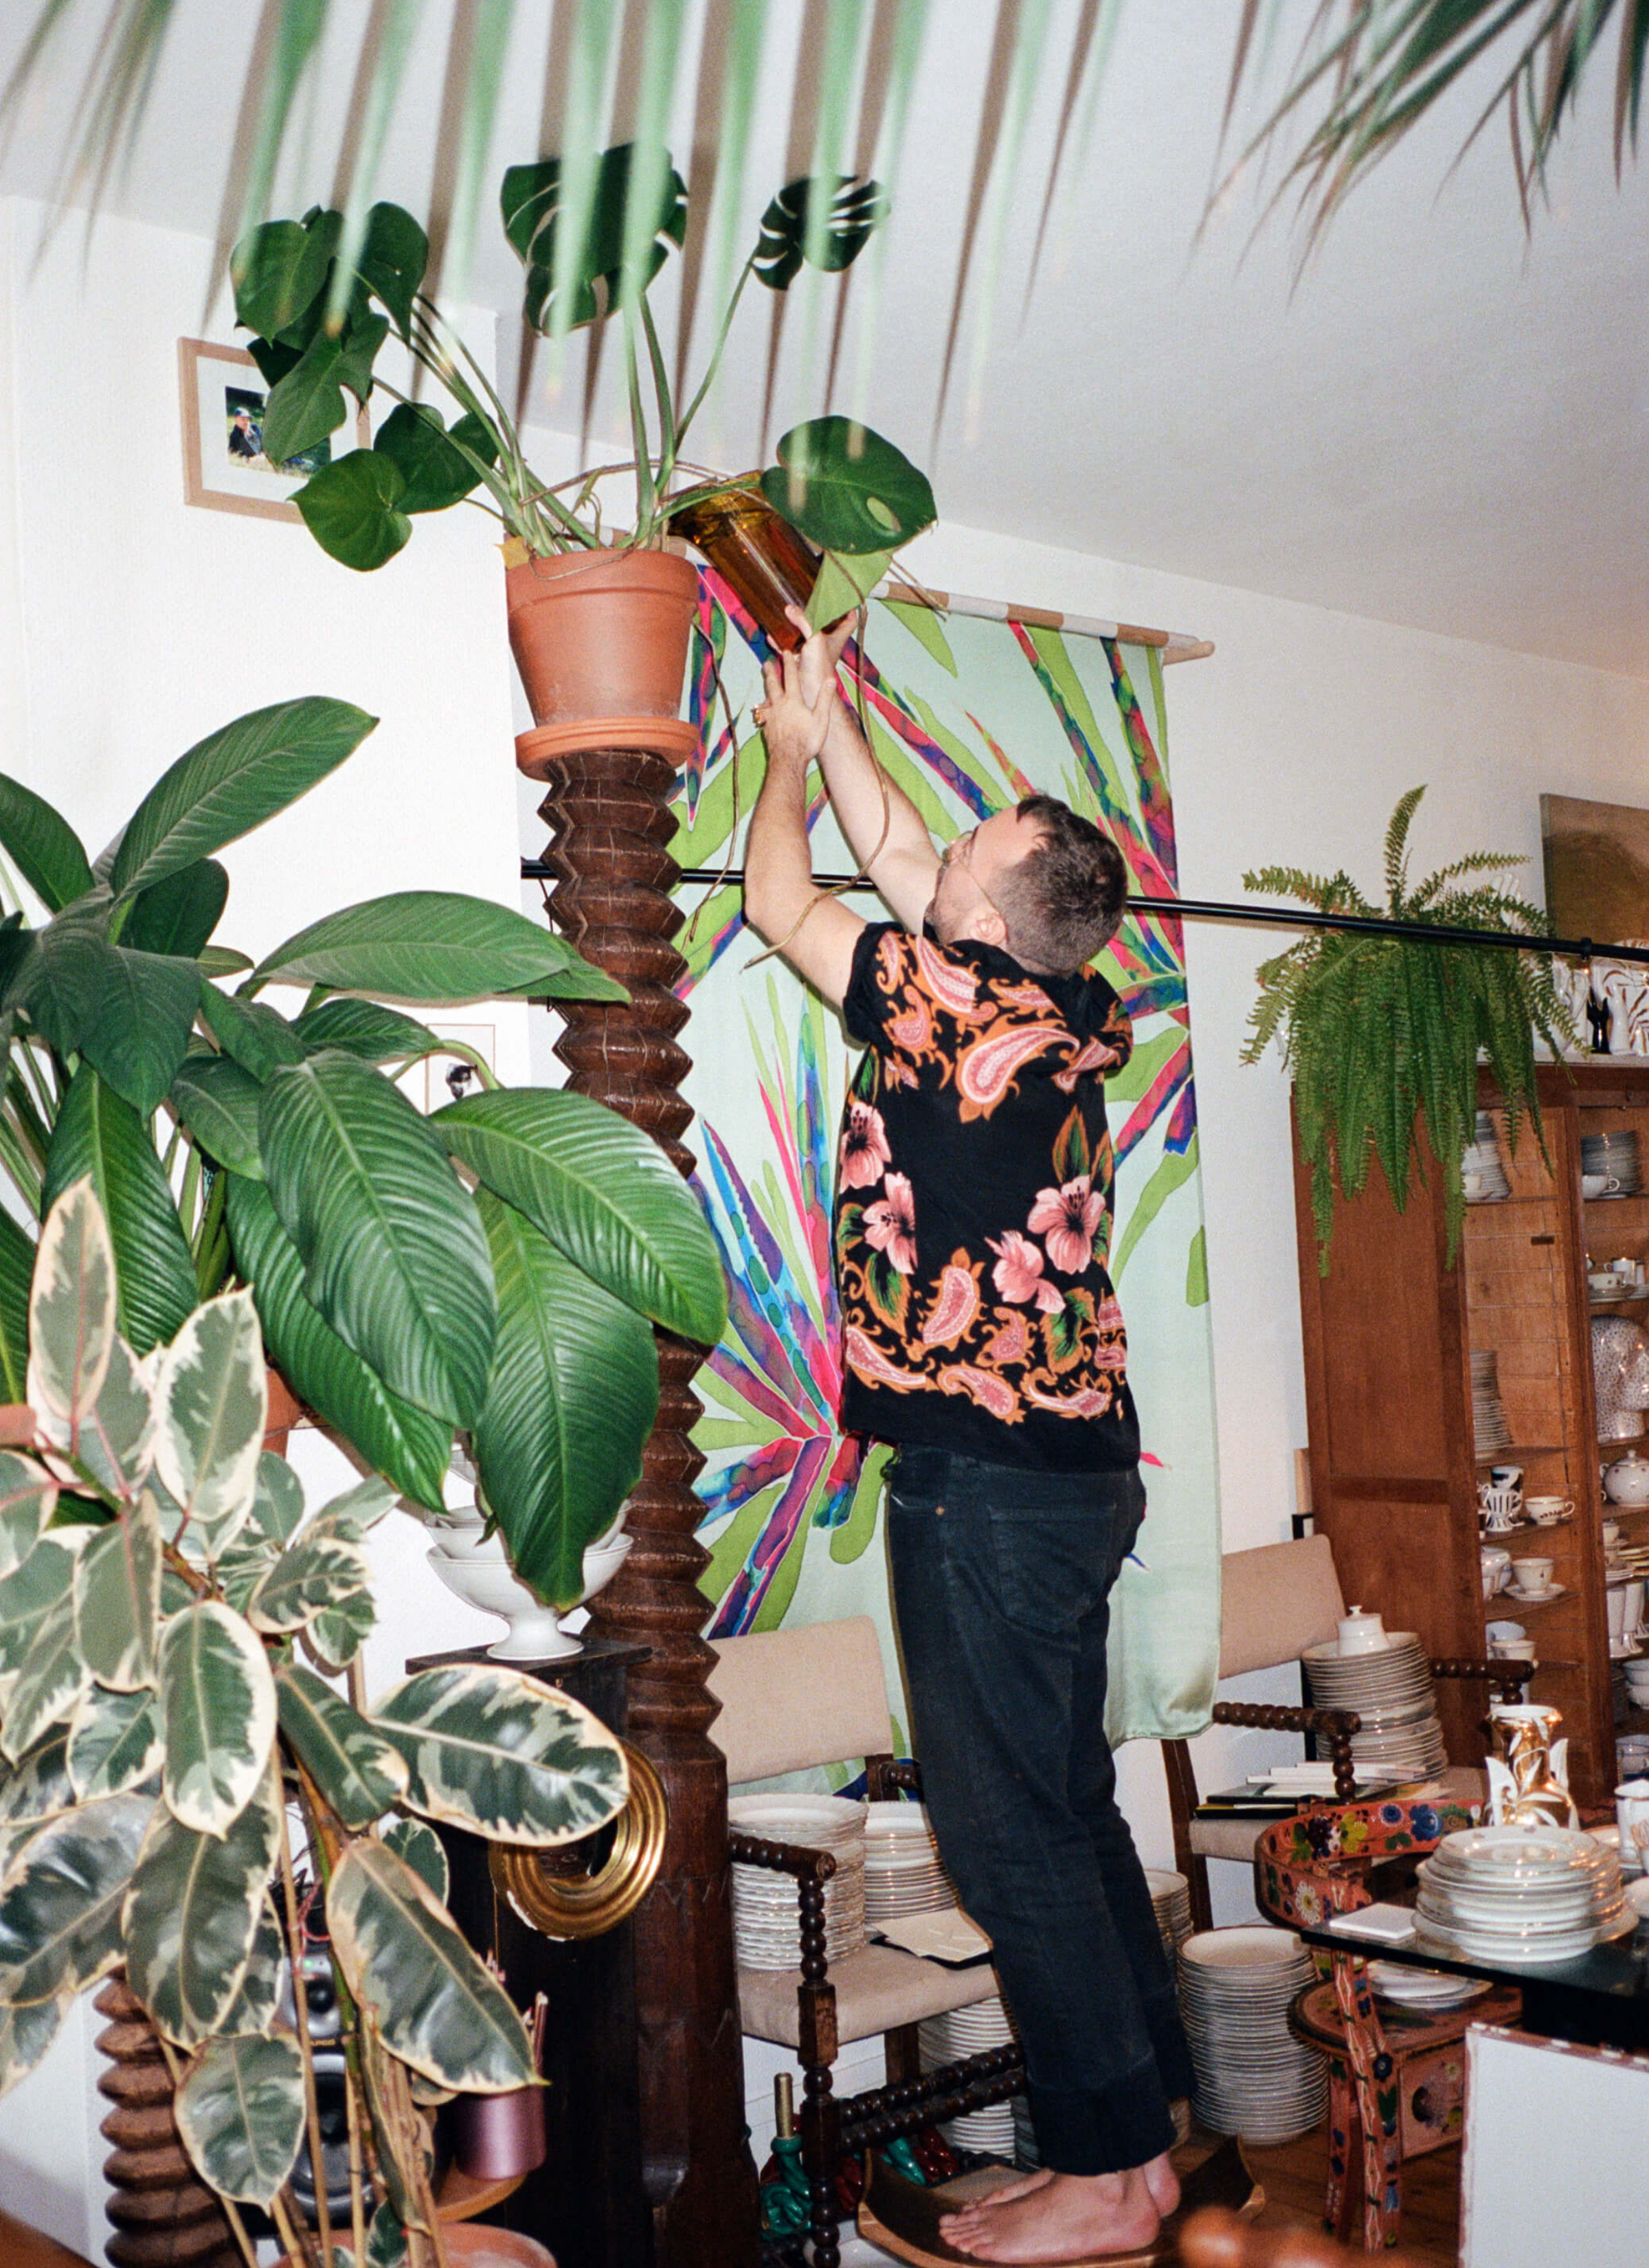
{"points": [[174, 1630]]}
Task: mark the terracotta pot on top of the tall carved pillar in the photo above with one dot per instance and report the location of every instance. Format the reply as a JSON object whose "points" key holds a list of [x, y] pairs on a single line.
{"points": [[602, 636]]}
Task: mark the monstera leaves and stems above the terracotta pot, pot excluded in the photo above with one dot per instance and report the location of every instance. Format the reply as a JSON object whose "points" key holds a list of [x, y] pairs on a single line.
{"points": [[593, 239]]}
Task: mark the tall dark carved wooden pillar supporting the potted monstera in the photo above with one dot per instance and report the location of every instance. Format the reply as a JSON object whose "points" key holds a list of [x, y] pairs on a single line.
{"points": [[614, 879]]}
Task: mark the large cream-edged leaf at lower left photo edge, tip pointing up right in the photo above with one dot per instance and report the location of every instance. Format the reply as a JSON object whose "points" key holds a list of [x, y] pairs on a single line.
{"points": [[60, 1902]]}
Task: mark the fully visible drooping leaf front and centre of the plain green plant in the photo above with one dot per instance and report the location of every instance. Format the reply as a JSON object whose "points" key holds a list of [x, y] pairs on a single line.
{"points": [[394, 1249]]}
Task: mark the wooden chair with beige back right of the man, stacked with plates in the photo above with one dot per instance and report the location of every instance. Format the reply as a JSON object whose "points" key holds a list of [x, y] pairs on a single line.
{"points": [[1278, 1602]]}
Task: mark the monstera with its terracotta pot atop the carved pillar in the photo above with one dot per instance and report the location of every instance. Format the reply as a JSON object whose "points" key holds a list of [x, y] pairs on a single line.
{"points": [[598, 625]]}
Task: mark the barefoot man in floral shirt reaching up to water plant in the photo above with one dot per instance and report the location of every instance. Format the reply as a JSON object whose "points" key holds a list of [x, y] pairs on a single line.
{"points": [[983, 1339]]}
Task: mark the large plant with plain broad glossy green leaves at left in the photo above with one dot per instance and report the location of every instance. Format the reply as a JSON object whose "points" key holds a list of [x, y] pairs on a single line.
{"points": [[489, 1271]]}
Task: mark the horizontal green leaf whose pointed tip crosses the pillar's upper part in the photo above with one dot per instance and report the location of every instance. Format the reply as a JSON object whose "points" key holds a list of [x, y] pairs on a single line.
{"points": [[434, 945]]}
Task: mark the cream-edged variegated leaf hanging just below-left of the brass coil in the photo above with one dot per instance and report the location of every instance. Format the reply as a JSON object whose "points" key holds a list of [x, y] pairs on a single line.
{"points": [[405, 1961]]}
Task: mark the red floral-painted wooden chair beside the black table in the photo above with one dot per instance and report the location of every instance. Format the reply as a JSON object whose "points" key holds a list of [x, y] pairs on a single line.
{"points": [[1392, 2090]]}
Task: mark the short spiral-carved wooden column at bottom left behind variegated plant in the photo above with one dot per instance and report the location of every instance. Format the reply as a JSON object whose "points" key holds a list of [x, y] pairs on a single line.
{"points": [[162, 2212]]}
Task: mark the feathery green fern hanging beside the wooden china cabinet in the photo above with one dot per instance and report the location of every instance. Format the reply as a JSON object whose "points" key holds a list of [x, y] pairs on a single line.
{"points": [[1382, 1033]]}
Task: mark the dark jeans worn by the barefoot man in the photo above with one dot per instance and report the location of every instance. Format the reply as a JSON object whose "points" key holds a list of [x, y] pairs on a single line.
{"points": [[1001, 1586]]}
